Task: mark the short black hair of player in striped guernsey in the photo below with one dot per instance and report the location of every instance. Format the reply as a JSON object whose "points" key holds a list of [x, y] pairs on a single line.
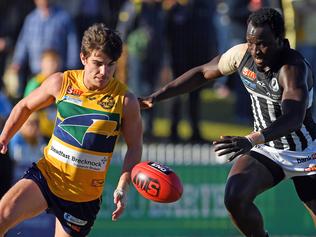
{"points": [[270, 17]]}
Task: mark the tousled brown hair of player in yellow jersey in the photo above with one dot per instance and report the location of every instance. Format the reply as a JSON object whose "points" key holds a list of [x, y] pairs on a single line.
{"points": [[98, 37]]}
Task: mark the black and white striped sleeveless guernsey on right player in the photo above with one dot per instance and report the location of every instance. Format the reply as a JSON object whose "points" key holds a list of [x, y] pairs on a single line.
{"points": [[266, 95]]}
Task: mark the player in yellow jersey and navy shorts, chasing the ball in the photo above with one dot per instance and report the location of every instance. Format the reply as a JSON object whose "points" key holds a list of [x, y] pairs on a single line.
{"points": [[93, 109]]}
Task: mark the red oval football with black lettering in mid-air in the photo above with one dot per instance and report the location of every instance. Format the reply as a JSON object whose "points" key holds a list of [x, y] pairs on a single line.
{"points": [[156, 182]]}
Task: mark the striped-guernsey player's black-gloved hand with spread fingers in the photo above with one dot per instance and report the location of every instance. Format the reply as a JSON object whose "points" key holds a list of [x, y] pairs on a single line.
{"points": [[232, 144]]}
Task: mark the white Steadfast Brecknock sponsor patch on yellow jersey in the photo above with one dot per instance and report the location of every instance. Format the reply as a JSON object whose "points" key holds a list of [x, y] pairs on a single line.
{"points": [[77, 159]]}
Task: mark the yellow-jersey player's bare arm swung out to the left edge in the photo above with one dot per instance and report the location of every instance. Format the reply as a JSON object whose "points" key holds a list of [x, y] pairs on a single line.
{"points": [[40, 98]]}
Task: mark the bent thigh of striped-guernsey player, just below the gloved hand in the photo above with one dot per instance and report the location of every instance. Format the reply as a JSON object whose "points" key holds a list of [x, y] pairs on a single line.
{"points": [[252, 174]]}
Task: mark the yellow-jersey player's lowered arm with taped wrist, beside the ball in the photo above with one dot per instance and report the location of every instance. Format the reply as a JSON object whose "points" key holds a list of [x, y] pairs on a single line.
{"points": [[132, 132]]}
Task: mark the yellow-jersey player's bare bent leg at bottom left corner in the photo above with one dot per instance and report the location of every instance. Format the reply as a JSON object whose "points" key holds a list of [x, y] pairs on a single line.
{"points": [[23, 201]]}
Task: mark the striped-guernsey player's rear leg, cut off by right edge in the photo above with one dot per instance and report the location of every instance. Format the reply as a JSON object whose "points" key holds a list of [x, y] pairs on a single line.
{"points": [[305, 188]]}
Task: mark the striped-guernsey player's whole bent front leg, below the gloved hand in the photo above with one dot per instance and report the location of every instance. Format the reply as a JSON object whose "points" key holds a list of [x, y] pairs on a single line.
{"points": [[250, 175]]}
